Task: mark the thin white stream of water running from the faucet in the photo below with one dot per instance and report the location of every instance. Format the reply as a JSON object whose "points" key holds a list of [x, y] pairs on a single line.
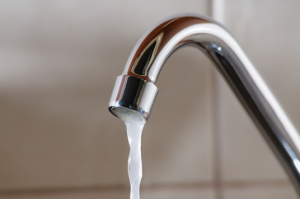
{"points": [[134, 134]]}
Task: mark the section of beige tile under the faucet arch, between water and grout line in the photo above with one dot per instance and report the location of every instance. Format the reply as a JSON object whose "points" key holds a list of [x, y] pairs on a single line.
{"points": [[177, 139]]}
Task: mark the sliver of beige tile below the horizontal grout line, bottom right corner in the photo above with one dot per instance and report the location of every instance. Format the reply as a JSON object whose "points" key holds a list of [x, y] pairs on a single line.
{"points": [[261, 192]]}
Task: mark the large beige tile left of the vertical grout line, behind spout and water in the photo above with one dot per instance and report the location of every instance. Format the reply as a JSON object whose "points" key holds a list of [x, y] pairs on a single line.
{"points": [[59, 61]]}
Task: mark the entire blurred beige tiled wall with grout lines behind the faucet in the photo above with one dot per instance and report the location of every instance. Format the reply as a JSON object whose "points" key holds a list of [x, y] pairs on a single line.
{"points": [[58, 64]]}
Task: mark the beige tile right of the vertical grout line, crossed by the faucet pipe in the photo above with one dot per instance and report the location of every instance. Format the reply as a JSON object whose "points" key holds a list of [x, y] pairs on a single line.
{"points": [[269, 36]]}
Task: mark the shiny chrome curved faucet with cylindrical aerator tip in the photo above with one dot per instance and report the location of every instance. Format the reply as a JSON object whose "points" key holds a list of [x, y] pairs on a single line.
{"points": [[134, 92]]}
